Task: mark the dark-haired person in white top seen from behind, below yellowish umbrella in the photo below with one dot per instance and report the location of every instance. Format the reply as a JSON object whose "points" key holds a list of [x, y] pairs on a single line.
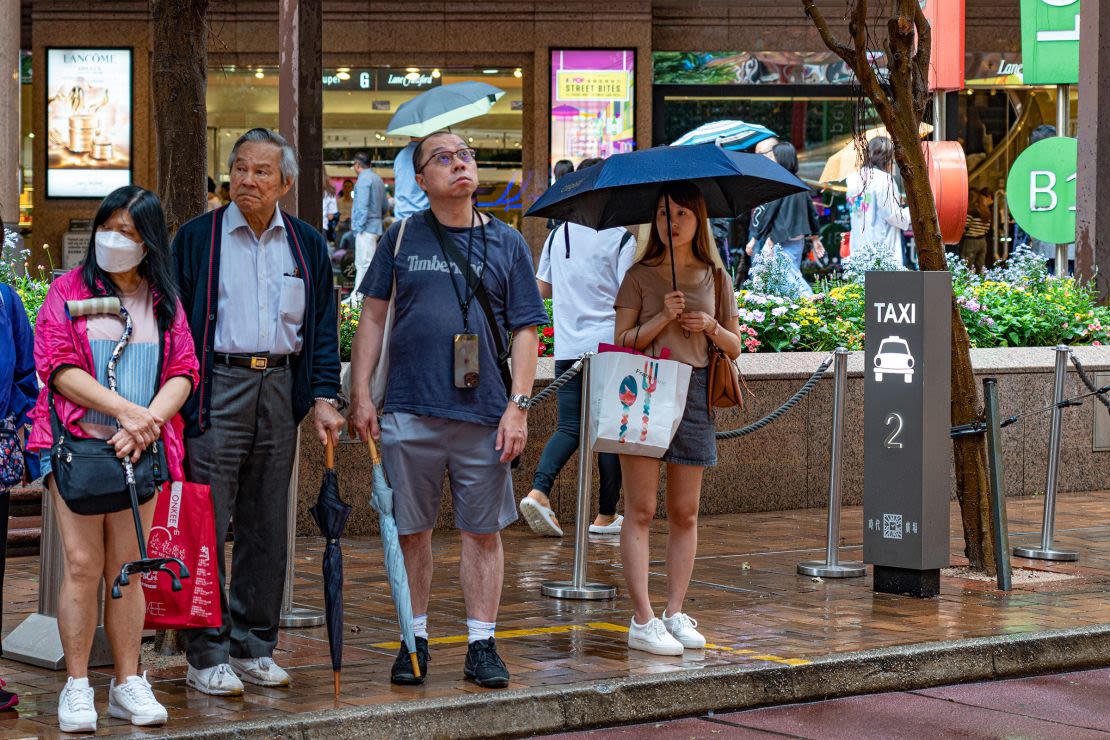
{"points": [[875, 206]]}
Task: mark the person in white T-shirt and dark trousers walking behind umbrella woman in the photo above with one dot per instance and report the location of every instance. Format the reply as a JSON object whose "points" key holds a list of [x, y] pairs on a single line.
{"points": [[582, 289]]}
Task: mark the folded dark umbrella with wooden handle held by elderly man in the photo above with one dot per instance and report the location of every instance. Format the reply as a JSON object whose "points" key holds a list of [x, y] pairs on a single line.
{"points": [[331, 515]]}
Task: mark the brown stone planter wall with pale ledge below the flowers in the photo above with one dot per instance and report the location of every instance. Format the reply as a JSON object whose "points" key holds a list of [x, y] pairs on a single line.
{"points": [[785, 465]]}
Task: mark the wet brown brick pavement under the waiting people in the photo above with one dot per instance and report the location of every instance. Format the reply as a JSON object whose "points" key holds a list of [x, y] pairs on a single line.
{"points": [[750, 603]]}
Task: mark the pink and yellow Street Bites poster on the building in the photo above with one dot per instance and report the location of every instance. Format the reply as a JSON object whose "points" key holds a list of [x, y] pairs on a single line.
{"points": [[592, 105]]}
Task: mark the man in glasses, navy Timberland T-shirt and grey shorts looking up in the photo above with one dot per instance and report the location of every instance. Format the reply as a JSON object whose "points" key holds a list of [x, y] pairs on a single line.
{"points": [[448, 407]]}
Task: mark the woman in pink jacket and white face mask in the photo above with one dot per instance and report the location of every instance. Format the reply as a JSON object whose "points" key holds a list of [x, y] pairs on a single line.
{"points": [[129, 258]]}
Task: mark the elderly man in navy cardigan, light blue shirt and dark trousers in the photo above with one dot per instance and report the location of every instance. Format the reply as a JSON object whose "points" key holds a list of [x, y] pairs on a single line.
{"points": [[257, 285]]}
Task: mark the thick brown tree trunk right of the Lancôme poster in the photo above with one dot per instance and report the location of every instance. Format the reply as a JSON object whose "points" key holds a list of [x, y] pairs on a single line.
{"points": [[180, 78]]}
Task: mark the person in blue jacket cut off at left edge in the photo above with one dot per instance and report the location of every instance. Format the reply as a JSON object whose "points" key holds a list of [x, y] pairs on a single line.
{"points": [[18, 393]]}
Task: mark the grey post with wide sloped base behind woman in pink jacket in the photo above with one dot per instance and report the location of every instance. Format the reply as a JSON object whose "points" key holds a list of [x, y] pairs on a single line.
{"points": [[37, 642]]}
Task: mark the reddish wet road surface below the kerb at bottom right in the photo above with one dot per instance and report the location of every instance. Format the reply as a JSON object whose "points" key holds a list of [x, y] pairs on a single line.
{"points": [[1072, 706]]}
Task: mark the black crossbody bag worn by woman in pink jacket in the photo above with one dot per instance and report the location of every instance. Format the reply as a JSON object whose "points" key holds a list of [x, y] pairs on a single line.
{"points": [[90, 478]]}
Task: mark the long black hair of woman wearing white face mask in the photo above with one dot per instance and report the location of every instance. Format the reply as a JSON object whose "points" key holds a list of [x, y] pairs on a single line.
{"points": [[146, 211]]}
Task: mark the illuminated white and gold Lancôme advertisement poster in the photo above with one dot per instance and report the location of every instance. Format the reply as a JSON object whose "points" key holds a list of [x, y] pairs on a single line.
{"points": [[88, 121]]}
